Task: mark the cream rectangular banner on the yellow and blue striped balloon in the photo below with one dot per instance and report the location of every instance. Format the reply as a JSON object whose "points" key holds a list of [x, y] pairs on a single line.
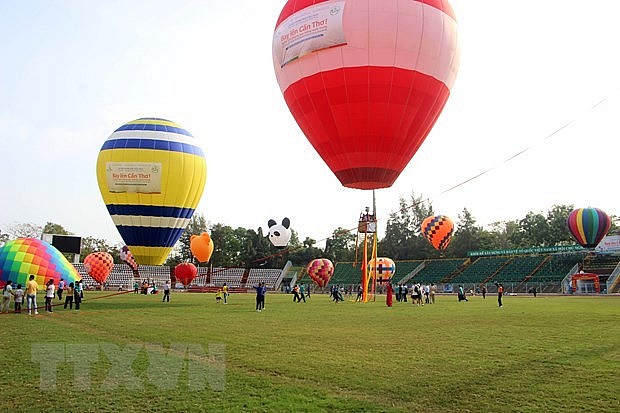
{"points": [[134, 177]]}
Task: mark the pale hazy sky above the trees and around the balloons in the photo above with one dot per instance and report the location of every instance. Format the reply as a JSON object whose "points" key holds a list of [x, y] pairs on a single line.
{"points": [[74, 71]]}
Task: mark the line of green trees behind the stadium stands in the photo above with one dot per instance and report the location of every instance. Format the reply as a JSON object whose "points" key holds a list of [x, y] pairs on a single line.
{"points": [[403, 240]]}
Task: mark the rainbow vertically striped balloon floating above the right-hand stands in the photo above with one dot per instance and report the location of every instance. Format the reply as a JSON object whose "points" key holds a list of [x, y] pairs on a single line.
{"points": [[588, 226]]}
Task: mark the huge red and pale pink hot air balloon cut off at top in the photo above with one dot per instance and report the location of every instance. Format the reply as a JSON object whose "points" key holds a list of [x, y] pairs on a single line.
{"points": [[366, 80]]}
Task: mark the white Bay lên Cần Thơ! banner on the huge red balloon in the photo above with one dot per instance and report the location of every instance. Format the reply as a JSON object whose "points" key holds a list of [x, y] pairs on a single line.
{"points": [[313, 28]]}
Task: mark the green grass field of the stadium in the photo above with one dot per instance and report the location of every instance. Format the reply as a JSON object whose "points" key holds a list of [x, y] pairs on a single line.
{"points": [[136, 353]]}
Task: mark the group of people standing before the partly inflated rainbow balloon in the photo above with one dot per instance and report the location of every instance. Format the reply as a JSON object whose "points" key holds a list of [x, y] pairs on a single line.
{"points": [[74, 293]]}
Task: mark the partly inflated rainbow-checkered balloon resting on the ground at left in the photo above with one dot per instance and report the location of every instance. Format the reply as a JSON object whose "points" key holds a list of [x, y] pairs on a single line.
{"points": [[24, 256]]}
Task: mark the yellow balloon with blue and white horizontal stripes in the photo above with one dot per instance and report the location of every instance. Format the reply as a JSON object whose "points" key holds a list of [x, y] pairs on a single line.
{"points": [[151, 175]]}
